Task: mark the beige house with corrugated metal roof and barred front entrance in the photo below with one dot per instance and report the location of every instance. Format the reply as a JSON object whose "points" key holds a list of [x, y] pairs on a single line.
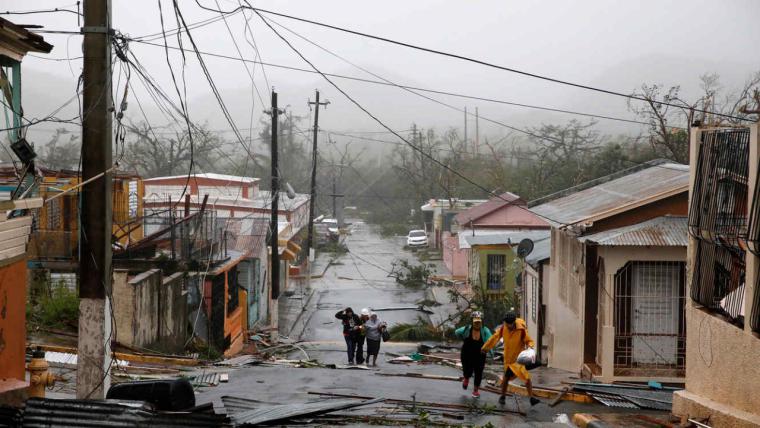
{"points": [[618, 257]]}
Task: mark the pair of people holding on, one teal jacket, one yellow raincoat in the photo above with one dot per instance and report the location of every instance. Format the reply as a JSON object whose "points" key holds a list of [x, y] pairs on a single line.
{"points": [[519, 352]]}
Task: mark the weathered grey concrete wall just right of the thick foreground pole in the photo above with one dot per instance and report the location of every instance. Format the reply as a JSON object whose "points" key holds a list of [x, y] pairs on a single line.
{"points": [[150, 311]]}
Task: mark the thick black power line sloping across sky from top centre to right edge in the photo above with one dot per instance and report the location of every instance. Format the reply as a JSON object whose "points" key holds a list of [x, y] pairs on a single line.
{"points": [[496, 66]]}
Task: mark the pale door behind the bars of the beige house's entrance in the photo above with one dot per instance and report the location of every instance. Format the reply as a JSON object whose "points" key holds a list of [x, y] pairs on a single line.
{"points": [[655, 301]]}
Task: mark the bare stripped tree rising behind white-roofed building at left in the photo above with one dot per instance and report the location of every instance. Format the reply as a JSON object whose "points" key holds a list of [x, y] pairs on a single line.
{"points": [[158, 152]]}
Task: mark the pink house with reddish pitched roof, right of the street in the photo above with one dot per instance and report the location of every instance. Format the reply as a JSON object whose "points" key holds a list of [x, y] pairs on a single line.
{"points": [[505, 213]]}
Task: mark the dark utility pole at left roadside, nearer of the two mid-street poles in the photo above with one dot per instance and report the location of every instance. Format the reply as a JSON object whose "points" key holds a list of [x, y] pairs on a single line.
{"points": [[274, 269]]}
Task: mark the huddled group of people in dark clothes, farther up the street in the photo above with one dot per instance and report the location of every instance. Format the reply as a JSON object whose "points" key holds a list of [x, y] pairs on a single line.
{"points": [[358, 328]]}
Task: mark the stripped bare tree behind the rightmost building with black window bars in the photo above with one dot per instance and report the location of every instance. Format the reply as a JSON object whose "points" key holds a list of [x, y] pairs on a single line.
{"points": [[668, 115]]}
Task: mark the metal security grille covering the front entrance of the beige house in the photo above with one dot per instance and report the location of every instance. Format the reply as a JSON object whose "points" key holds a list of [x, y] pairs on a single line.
{"points": [[649, 318]]}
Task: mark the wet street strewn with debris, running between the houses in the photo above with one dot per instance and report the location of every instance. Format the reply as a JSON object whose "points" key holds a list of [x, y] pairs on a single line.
{"points": [[360, 279]]}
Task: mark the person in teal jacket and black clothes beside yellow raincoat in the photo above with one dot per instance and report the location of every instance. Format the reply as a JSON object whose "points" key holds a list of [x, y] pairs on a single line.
{"points": [[473, 361]]}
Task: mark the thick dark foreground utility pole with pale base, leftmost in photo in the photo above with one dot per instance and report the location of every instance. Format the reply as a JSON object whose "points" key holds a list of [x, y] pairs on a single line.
{"points": [[95, 330]]}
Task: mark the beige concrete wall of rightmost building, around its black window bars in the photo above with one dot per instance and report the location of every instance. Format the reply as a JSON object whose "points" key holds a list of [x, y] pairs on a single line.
{"points": [[722, 369]]}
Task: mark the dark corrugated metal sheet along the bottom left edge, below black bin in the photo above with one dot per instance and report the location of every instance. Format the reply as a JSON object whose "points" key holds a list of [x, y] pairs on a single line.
{"points": [[49, 413]]}
